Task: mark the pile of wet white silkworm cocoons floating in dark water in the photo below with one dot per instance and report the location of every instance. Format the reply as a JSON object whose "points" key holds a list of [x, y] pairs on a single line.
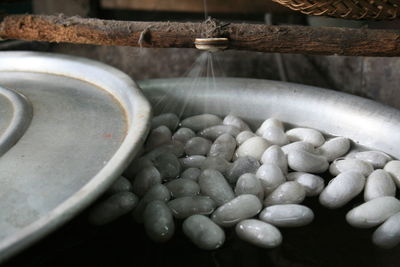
{"points": [[215, 173]]}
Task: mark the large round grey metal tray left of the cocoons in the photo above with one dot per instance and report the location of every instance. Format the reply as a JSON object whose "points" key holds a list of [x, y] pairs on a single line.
{"points": [[68, 128]]}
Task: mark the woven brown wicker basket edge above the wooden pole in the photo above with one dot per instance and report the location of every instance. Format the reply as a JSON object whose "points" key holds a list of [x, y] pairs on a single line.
{"points": [[348, 9]]}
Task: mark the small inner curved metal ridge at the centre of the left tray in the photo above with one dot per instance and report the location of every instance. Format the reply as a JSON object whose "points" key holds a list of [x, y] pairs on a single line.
{"points": [[22, 116]]}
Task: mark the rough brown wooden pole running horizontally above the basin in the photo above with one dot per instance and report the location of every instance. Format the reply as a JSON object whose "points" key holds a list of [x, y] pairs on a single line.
{"points": [[255, 37]]}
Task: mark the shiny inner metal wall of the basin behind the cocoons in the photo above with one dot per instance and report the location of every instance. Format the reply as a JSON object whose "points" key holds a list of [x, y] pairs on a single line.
{"points": [[366, 122]]}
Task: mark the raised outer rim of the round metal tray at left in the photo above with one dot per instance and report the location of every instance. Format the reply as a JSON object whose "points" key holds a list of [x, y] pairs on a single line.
{"points": [[138, 112]]}
